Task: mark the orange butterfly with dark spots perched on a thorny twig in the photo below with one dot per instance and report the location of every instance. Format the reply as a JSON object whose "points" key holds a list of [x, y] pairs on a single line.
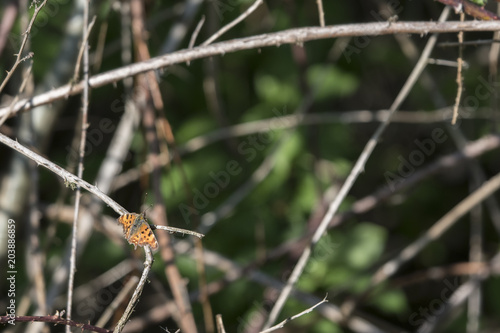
{"points": [[137, 231]]}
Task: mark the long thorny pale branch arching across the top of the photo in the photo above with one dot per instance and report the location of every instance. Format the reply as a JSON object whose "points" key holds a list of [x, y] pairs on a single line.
{"points": [[292, 36]]}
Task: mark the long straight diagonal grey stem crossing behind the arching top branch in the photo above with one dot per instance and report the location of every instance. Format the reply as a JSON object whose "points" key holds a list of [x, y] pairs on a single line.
{"points": [[353, 175]]}
